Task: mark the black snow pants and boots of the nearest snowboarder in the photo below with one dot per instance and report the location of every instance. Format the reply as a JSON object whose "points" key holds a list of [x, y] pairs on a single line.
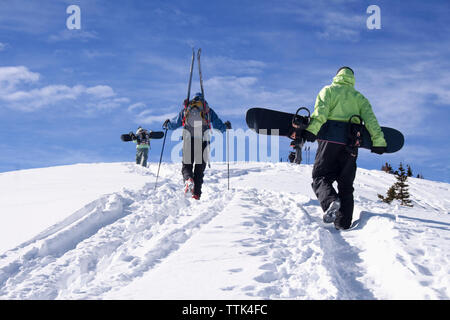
{"points": [[335, 162]]}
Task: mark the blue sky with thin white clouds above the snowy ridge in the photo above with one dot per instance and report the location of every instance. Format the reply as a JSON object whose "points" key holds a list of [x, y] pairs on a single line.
{"points": [[67, 95]]}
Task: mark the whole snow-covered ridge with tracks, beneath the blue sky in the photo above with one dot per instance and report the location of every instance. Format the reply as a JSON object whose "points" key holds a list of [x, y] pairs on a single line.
{"points": [[112, 236]]}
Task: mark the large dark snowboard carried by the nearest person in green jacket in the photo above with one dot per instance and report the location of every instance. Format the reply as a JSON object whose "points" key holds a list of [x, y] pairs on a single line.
{"points": [[272, 122]]}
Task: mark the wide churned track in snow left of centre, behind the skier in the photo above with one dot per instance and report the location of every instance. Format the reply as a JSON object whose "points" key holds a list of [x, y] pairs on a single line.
{"points": [[87, 254]]}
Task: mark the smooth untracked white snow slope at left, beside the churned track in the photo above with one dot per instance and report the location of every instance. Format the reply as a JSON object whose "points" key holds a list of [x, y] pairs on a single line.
{"points": [[43, 197]]}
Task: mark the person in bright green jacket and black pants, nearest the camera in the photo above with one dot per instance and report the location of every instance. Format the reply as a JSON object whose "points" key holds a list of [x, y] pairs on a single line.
{"points": [[337, 162]]}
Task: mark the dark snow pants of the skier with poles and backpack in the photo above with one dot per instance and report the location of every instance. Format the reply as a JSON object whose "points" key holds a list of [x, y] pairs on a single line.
{"points": [[194, 165]]}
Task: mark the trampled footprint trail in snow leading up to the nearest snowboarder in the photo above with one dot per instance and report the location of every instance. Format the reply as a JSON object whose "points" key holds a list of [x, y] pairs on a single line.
{"points": [[301, 255]]}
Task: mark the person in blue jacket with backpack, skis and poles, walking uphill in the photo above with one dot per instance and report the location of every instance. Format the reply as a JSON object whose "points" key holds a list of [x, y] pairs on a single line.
{"points": [[196, 118]]}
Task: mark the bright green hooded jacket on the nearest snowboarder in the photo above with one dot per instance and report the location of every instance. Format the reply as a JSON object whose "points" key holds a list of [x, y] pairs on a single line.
{"points": [[339, 101]]}
